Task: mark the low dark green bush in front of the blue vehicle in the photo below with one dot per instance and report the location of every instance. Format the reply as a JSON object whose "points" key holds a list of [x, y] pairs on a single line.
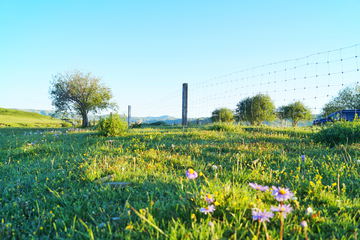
{"points": [[340, 132]]}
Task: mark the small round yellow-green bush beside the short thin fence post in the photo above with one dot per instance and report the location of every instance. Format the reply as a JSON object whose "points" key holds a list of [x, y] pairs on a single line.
{"points": [[113, 125]]}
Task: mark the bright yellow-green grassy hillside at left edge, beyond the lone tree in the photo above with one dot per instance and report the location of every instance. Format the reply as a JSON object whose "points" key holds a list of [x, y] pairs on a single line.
{"points": [[16, 118]]}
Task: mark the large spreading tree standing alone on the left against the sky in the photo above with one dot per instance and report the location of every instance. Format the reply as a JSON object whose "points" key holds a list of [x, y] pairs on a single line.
{"points": [[80, 93]]}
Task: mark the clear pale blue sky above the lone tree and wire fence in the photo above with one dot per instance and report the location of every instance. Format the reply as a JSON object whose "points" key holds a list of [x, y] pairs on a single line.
{"points": [[145, 50]]}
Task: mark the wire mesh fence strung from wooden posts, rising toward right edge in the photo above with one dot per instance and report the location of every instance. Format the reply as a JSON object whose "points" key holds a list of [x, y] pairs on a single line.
{"points": [[313, 80]]}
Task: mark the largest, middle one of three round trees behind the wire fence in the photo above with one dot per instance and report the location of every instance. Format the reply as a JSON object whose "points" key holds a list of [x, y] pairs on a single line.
{"points": [[256, 109]]}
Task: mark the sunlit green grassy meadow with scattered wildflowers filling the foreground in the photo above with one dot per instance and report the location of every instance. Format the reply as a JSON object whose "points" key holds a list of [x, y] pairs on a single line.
{"points": [[49, 188]]}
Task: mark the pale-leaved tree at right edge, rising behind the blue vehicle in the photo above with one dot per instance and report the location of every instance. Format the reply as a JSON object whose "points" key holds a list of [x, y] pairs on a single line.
{"points": [[348, 98]]}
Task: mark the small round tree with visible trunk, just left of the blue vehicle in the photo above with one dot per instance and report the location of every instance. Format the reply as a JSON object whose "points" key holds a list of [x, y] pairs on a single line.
{"points": [[297, 111]]}
